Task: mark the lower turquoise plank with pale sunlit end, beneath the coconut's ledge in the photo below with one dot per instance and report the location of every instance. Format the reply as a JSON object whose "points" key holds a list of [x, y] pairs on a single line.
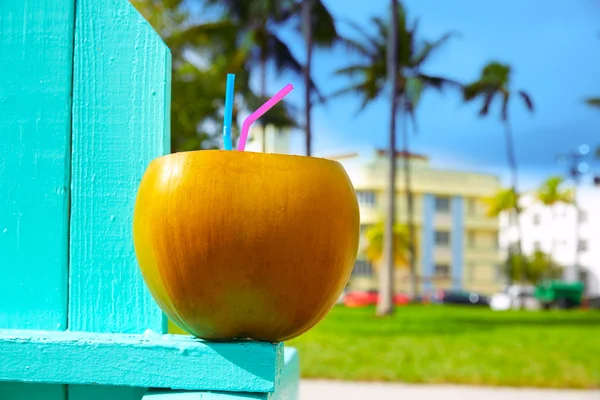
{"points": [[288, 389]]}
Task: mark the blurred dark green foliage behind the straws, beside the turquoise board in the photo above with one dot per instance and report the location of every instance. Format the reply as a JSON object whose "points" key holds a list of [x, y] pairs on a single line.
{"points": [[198, 89]]}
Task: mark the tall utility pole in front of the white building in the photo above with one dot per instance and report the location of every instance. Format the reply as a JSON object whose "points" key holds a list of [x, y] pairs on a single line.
{"points": [[577, 167]]}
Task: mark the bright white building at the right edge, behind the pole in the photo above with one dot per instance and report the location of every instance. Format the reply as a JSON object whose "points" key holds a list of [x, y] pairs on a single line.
{"points": [[554, 231]]}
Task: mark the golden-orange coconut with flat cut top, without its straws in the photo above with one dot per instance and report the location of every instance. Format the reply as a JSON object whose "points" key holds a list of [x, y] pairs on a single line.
{"points": [[239, 245]]}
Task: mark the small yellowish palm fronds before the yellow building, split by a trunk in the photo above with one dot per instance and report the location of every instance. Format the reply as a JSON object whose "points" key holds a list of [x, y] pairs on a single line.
{"points": [[375, 237]]}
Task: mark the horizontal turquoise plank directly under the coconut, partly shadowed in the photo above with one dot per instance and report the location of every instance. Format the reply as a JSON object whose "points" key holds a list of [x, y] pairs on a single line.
{"points": [[150, 360]]}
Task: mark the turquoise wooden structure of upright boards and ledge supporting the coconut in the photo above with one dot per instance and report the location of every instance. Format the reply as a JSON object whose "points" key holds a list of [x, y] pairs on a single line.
{"points": [[84, 107]]}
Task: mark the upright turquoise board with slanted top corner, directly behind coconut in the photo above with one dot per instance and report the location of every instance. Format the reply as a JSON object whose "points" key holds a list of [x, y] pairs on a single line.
{"points": [[121, 93]]}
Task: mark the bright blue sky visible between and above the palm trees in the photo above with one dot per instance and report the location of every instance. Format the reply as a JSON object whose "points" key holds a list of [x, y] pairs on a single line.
{"points": [[553, 47]]}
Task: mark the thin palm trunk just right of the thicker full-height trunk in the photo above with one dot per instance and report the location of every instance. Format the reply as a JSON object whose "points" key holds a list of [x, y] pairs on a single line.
{"points": [[409, 210]]}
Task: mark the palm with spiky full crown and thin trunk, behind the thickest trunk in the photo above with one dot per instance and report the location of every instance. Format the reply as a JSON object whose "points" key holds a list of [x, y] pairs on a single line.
{"points": [[369, 78]]}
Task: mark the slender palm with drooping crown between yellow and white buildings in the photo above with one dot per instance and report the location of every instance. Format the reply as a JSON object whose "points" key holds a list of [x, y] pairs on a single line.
{"points": [[493, 83]]}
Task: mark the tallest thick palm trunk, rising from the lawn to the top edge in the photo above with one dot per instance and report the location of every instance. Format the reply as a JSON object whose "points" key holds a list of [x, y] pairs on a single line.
{"points": [[385, 304]]}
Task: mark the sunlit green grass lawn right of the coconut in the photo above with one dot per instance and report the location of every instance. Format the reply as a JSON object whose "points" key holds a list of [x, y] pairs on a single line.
{"points": [[463, 345]]}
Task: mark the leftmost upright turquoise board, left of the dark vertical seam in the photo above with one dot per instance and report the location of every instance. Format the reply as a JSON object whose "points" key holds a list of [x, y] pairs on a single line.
{"points": [[36, 48]]}
